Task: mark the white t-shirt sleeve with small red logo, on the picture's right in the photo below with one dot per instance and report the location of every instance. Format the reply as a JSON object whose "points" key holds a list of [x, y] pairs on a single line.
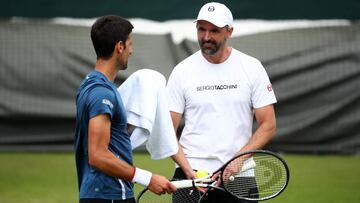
{"points": [[263, 93]]}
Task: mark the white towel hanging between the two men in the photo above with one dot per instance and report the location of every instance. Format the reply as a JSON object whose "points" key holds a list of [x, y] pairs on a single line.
{"points": [[144, 96]]}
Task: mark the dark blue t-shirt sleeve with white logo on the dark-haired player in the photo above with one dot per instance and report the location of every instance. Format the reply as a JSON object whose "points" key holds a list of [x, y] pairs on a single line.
{"points": [[101, 101]]}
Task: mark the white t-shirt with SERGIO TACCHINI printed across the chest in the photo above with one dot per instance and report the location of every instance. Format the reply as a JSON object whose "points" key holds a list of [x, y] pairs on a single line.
{"points": [[217, 102]]}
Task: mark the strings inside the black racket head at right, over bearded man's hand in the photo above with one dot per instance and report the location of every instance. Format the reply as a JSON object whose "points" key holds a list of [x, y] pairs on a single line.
{"points": [[266, 179]]}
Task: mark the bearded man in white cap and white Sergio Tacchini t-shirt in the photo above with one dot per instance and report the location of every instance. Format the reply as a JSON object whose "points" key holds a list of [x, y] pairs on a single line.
{"points": [[218, 90]]}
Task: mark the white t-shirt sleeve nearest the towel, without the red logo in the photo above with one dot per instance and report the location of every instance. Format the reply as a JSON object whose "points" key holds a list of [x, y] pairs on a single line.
{"points": [[175, 94]]}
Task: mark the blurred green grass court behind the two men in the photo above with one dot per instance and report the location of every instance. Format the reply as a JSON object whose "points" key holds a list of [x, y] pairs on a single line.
{"points": [[51, 177]]}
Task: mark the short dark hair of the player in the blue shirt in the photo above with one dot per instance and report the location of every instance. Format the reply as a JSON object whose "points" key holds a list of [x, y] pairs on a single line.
{"points": [[107, 31]]}
